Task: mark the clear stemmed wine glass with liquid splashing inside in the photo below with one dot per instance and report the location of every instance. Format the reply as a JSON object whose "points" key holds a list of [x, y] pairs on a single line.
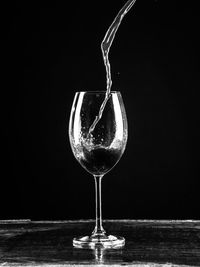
{"points": [[98, 149]]}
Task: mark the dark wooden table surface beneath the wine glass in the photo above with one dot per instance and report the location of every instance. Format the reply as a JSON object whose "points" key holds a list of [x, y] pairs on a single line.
{"points": [[148, 243]]}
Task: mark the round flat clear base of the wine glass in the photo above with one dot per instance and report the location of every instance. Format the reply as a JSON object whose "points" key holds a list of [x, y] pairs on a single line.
{"points": [[103, 241]]}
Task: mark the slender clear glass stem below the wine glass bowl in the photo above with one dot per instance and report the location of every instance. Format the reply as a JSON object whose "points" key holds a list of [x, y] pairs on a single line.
{"points": [[98, 230]]}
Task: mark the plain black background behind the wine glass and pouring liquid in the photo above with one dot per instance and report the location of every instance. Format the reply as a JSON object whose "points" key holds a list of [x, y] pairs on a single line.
{"points": [[50, 51]]}
